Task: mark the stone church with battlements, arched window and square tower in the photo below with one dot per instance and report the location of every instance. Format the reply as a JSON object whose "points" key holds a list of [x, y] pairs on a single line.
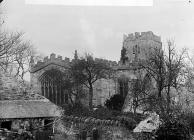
{"points": [[46, 75]]}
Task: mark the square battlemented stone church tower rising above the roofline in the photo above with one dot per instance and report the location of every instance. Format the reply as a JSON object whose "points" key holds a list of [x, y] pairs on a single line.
{"points": [[138, 46]]}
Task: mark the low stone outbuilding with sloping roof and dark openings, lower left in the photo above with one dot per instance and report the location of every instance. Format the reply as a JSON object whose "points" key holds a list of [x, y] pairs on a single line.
{"points": [[28, 115]]}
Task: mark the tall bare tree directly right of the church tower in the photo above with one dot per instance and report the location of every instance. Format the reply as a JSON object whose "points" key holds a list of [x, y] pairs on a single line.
{"points": [[165, 69]]}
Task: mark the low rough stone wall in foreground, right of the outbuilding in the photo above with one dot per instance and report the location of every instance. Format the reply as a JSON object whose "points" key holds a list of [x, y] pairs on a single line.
{"points": [[70, 127]]}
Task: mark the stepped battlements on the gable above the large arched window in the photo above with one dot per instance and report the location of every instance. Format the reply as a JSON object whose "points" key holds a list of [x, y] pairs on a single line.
{"points": [[50, 60]]}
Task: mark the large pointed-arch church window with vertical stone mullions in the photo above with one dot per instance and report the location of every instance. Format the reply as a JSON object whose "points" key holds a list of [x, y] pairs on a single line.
{"points": [[51, 82]]}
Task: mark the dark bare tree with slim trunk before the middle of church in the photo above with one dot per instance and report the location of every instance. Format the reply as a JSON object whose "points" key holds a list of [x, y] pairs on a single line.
{"points": [[87, 70]]}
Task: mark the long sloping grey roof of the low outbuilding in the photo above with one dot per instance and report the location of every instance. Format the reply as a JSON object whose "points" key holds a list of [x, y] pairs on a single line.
{"points": [[28, 109]]}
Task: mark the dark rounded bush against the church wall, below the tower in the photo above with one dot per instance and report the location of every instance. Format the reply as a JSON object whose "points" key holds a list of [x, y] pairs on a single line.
{"points": [[115, 102]]}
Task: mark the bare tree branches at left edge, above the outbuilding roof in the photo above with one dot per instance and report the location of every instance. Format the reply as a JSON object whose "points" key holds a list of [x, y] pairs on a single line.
{"points": [[15, 54]]}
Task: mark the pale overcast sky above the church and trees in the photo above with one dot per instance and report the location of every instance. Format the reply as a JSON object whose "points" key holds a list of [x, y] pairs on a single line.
{"points": [[98, 29]]}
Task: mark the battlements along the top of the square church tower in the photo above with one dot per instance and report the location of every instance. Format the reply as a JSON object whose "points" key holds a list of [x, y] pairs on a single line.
{"points": [[142, 36]]}
